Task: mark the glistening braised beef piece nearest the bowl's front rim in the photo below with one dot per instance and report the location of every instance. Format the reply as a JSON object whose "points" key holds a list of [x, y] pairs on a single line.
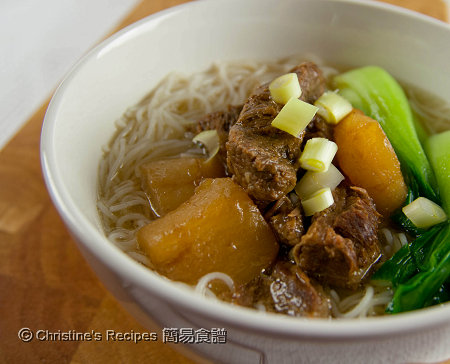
{"points": [[286, 290]]}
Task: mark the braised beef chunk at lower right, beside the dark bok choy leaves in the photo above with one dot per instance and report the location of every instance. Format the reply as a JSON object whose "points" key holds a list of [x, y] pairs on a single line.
{"points": [[341, 244]]}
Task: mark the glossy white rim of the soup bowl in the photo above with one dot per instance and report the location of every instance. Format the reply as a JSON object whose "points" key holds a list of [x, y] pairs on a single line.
{"points": [[132, 272]]}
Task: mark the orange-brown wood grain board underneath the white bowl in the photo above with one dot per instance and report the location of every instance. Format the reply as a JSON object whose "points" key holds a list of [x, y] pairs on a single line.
{"points": [[44, 282]]}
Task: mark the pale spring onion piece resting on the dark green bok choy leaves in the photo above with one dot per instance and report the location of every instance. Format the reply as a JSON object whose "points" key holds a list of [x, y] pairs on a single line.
{"points": [[424, 213]]}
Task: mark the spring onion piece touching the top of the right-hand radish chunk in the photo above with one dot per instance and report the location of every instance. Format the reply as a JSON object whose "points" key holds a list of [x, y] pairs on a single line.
{"points": [[333, 107]]}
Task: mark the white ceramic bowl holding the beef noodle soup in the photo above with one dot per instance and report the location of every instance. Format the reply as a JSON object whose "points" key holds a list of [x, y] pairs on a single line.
{"points": [[119, 72]]}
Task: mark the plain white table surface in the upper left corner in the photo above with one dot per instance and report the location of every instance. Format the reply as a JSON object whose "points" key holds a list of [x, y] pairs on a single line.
{"points": [[39, 42]]}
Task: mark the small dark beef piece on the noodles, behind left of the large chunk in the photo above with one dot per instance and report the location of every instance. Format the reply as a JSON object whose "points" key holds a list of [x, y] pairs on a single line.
{"points": [[220, 121]]}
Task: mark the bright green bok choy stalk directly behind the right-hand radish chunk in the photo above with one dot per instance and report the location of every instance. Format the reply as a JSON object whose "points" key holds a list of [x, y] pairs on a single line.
{"points": [[375, 92]]}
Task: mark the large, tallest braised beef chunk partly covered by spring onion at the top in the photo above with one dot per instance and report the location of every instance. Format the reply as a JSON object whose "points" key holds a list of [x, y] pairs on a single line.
{"points": [[261, 158]]}
